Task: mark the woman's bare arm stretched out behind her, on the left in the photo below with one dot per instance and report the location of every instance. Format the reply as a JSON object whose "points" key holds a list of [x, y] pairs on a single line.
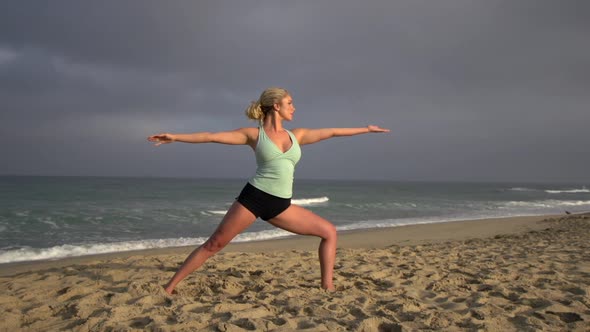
{"points": [[239, 136]]}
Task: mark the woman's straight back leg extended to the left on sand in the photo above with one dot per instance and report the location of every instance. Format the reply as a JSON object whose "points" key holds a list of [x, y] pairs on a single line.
{"points": [[236, 220]]}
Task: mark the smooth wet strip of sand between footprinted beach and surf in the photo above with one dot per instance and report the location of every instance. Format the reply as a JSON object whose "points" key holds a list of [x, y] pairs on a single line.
{"points": [[380, 237]]}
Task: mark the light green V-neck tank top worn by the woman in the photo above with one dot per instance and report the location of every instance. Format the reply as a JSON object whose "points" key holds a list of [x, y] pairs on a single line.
{"points": [[274, 174]]}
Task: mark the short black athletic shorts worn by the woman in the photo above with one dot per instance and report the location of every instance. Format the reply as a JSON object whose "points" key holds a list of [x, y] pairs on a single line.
{"points": [[261, 204]]}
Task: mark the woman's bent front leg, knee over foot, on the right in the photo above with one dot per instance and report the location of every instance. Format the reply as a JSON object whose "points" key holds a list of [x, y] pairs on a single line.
{"points": [[301, 221]]}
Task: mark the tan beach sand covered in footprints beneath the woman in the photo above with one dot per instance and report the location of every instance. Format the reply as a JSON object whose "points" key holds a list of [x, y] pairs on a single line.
{"points": [[512, 274]]}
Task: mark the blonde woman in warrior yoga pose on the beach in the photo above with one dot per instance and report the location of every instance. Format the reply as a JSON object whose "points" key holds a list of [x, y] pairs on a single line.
{"points": [[268, 193]]}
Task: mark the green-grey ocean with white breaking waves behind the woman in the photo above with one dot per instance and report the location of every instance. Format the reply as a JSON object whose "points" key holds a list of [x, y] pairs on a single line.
{"points": [[43, 217]]}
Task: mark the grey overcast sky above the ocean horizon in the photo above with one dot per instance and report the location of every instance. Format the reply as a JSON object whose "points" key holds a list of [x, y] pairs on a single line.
{"points": [[471, 90]]}
